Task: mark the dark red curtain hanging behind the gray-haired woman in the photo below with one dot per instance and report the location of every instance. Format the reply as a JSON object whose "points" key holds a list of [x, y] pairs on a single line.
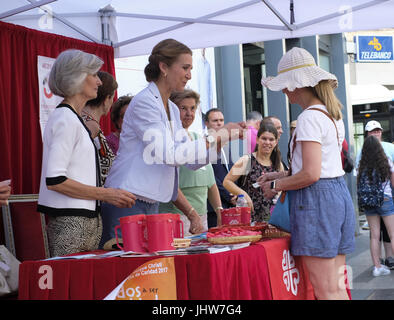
{"points": [[20, 134]]}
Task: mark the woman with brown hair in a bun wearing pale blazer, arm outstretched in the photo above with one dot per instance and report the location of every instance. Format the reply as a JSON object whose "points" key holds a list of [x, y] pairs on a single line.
{"points": [[153, 143]]}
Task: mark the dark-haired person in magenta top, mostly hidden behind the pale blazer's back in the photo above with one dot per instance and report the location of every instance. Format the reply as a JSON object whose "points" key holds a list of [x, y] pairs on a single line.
{"points": [[117, 113]]}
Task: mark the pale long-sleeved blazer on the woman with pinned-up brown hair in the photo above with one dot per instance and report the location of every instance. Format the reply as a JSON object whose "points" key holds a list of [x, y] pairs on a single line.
{"points": [[151, 148]]}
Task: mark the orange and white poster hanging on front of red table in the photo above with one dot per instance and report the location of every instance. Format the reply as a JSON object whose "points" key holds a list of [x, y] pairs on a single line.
{"points": [[154, 280]]}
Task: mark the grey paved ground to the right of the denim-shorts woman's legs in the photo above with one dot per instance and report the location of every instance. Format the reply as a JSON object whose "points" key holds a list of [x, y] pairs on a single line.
{"points": [[364, 286]]}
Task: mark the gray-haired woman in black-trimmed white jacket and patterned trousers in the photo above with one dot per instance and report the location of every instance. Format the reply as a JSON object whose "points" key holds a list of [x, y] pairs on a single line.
{"points": [[70, 191]]}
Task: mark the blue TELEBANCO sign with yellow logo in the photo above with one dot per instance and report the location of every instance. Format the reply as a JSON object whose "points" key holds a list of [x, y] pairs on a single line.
{"points": [[374, 48]]}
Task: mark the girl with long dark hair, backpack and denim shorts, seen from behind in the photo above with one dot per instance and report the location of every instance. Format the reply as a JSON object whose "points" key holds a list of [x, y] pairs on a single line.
{"points": [[375, 166]]}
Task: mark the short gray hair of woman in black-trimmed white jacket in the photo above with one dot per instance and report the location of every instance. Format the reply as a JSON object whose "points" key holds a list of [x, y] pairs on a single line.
{"points": [[70, 70]]}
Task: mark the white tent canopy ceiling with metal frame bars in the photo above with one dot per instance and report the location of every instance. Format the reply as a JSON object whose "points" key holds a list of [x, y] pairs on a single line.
{"points": [[135, 26]]}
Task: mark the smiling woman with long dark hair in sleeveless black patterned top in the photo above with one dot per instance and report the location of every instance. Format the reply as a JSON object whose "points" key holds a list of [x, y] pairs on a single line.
{"points": [[266, 158]]}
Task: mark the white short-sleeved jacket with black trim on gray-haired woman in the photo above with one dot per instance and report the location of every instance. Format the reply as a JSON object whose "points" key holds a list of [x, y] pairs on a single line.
{"points": [[68, 152]]}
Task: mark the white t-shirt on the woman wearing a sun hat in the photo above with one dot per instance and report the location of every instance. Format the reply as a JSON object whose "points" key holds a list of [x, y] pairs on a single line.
{"points": [[313, 125]]}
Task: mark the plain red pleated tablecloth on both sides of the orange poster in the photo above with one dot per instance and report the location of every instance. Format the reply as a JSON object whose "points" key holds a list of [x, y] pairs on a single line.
{"points": [[237, 275]]}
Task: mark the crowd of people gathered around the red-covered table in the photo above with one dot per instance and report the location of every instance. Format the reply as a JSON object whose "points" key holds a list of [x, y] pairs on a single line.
{"points": [[153, 164]]}
